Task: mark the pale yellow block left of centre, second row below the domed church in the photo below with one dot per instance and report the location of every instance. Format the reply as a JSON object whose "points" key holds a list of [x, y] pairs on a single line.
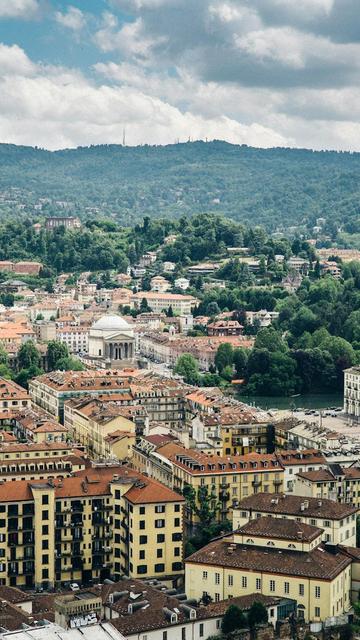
{"points": [[90, 421]]}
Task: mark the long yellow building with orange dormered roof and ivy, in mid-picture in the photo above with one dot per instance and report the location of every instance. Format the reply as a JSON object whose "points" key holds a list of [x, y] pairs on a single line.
{"points": [[227, 480]]}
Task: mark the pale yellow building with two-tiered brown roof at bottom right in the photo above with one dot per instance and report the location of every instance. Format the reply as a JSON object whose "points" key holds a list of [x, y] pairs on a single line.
{"points": [[275, 557]]}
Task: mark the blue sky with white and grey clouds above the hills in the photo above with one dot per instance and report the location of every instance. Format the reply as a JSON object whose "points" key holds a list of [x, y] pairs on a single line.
{"points": [[260, 72]]}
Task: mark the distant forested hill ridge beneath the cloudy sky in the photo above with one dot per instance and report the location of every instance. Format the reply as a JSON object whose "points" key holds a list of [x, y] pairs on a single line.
{"points": [[272, 187]]}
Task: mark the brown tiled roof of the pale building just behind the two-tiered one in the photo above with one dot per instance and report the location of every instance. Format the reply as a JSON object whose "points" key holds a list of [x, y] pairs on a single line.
{"points": [[289, 504]]}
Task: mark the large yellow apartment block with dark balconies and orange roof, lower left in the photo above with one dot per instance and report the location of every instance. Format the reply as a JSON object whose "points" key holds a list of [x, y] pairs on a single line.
{"points": [[101, 522]]}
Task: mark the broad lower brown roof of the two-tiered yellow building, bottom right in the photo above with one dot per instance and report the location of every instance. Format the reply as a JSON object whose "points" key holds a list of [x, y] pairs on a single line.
{"points": [[317, 563]]}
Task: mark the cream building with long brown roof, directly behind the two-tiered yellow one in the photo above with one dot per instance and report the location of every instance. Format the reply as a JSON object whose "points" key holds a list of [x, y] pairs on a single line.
{"points": [[338, 521]]}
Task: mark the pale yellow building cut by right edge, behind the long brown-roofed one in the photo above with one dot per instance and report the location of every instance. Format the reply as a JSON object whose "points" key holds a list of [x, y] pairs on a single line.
{"points": [[336, 483]]}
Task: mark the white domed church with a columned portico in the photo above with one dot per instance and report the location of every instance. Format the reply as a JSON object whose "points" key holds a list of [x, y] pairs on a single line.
{"points": [[112, 342]]}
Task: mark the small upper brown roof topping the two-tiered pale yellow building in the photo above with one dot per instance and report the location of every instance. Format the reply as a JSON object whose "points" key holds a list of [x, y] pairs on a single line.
{"points": [[280, 528]]}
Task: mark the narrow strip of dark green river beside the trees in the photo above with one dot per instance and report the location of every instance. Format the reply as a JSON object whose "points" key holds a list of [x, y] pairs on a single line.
{"points": [[309, 401]]}
